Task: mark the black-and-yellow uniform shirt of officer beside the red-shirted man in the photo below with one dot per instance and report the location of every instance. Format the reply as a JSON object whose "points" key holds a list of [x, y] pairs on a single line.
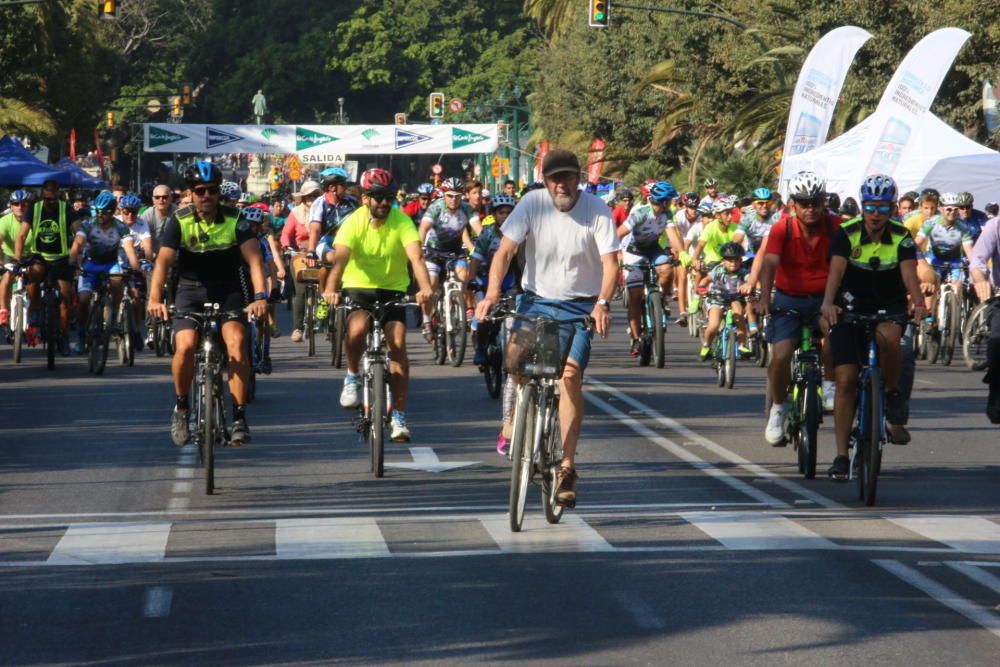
{"points": [[874, 290]]}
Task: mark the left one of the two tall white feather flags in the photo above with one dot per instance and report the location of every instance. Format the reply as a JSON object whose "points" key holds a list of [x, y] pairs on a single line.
{"points": [[818, 88]]}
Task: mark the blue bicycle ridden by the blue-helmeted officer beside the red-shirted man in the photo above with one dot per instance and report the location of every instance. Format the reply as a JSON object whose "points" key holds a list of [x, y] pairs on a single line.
{"points": [[868, 437]]}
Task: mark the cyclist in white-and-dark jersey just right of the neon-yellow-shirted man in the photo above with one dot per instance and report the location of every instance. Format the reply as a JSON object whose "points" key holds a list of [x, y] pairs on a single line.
{"points": [[447, 226]]}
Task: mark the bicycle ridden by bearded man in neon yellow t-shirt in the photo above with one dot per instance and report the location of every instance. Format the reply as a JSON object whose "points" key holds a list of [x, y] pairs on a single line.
{"points": [[376, 404]]}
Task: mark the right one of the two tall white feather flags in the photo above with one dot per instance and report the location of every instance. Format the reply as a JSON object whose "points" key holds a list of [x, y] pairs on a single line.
{"points": [[907, 98]]}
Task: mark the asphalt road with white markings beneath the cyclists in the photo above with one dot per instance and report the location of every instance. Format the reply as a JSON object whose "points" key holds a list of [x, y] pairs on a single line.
{"points": [[693, 542]]}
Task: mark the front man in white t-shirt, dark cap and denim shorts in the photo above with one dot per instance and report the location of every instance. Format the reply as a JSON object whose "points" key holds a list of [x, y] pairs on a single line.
{"points": [[570, 270]]}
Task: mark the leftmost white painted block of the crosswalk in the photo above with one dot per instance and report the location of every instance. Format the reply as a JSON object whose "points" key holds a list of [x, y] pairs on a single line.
{"points": [[111, 543]]}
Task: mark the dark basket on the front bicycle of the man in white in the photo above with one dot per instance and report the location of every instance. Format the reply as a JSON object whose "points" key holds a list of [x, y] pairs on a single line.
{"points": [[539, 349]]}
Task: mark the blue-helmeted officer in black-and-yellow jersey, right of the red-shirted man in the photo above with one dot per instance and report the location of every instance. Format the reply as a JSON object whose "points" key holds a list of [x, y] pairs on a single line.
{"points": [[872, 268]]}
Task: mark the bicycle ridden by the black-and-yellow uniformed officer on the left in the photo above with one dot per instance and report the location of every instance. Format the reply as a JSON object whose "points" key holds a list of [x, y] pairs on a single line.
{"points": [[211, 430]]}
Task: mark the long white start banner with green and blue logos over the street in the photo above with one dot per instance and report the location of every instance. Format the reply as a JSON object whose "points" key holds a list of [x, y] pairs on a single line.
{"points": [[326, 140]]}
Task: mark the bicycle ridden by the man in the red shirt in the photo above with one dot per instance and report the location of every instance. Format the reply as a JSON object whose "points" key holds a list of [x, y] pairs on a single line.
{"points": [[806, 407]]}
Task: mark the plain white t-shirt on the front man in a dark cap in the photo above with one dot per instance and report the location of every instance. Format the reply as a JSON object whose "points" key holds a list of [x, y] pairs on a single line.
{"points": [[562, 251]]}
